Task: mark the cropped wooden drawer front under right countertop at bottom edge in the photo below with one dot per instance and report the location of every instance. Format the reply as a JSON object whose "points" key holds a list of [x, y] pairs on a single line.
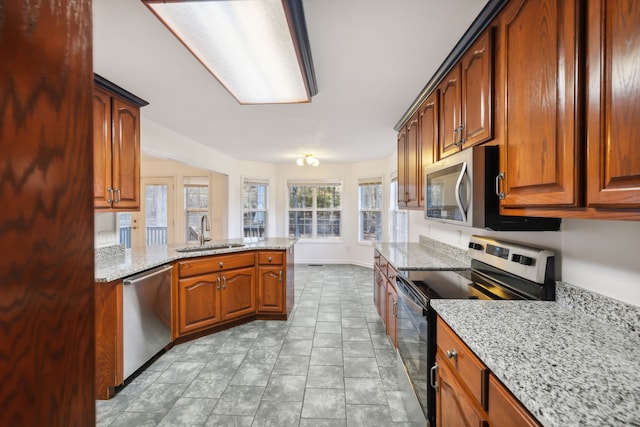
{"points": [[505, 410]]}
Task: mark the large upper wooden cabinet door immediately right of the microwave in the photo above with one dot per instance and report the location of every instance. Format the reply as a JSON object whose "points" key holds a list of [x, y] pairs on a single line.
{"points": [[540, 156]]}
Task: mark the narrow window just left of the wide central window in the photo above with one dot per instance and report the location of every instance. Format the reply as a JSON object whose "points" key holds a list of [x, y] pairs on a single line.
{"points": [[254, 208]]}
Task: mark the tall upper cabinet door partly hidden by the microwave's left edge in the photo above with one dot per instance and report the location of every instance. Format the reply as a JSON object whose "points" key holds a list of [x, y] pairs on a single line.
{"points": [[428, 125]]}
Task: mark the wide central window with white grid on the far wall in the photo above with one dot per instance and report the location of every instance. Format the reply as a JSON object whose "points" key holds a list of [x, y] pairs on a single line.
{"points": [[315, 210]]}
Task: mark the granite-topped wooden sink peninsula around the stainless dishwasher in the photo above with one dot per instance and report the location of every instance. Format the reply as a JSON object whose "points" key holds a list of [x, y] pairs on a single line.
{"points": [[213, 287]]}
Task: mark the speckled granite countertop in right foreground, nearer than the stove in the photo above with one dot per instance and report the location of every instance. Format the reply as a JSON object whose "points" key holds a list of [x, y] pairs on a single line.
{"points": [[568, 368]]}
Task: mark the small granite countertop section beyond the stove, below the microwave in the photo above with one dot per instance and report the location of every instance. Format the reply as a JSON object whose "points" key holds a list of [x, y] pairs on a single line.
{"points": [[429, 254]]}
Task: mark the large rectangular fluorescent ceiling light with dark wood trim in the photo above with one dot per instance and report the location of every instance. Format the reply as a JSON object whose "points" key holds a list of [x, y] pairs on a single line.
{"points": [[257, 49]]}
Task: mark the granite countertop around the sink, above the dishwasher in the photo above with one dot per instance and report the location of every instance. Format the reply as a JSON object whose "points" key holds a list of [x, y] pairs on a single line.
{"points": [[116, 262]]}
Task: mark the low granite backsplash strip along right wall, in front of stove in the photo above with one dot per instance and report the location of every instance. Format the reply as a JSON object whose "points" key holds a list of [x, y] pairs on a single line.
{"points": [[601, 307]]}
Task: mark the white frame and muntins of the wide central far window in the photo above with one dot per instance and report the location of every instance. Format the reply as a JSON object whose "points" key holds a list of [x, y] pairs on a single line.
{"points": [[315, 184]]}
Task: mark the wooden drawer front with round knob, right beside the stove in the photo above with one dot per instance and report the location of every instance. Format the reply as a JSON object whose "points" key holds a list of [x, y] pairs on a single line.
{"points": [[470, 369]]}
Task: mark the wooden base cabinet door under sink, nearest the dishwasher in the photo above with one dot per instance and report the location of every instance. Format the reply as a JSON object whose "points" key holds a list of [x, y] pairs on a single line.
{"points": [[199, 304]]}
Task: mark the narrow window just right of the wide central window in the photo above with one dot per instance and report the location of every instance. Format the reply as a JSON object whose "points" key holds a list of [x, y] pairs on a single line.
{"points": [[370, 209]]}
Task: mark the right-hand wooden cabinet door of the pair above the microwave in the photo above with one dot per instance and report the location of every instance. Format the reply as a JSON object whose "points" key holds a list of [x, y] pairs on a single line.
{"points": [[477, 90]]}
